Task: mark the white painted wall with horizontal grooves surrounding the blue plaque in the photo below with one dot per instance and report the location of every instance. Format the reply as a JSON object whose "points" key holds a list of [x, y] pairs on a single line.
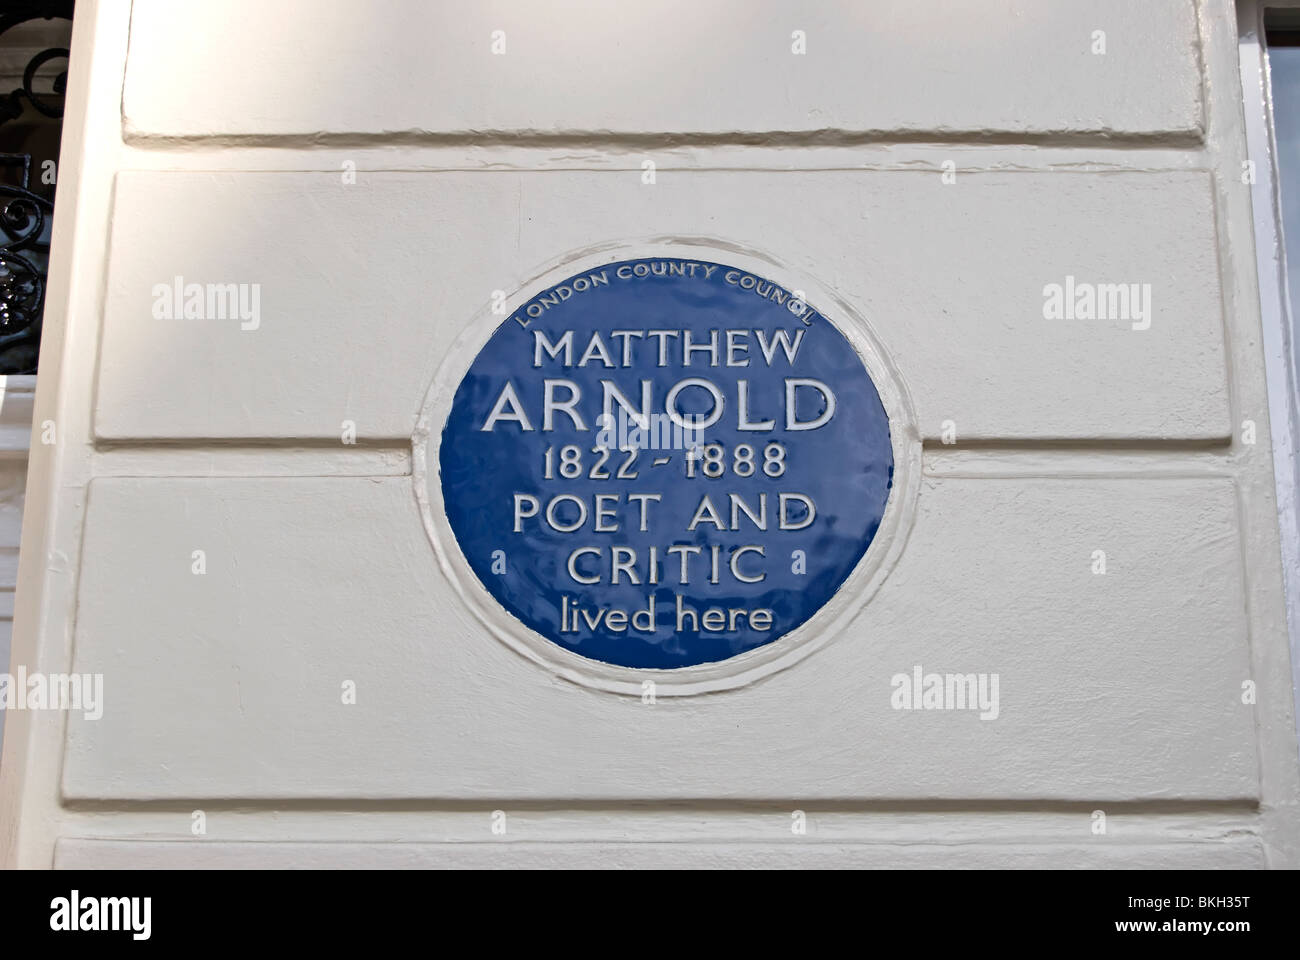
{"points": [[209, 141]]}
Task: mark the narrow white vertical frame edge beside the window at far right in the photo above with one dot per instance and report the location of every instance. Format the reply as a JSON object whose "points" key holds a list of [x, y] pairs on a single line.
{"points": [[1276, 309]]}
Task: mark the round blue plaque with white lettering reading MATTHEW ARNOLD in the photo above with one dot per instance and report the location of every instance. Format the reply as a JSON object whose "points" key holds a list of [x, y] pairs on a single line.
{"points": [[662, 464]]}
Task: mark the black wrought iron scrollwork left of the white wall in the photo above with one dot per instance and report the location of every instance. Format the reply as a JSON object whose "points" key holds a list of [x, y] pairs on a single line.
{"points": [[25, 217]]}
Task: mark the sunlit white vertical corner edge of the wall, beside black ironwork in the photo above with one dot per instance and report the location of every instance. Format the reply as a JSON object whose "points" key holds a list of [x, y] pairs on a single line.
{"points": [[29, 776]]}
